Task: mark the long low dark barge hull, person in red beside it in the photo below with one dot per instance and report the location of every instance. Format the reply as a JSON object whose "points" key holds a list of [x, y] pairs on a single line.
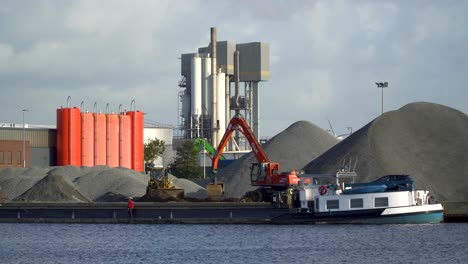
{"points": [[171, 213]]}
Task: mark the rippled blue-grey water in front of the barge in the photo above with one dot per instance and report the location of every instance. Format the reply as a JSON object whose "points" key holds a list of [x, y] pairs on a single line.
{"points": [[77, 243]]}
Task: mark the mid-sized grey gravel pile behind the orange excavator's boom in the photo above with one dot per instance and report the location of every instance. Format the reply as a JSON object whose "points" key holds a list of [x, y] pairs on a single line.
{"points": [[293, 148]]}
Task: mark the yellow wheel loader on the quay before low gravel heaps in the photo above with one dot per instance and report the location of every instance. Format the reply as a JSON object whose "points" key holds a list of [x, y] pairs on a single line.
{"points": [[160, 188]]}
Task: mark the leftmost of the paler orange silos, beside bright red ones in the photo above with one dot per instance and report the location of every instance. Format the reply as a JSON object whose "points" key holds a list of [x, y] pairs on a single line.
{"points": [[87, 139]]}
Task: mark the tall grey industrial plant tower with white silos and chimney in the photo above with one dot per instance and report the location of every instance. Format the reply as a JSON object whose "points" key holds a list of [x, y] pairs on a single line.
{"points": [[211, 88]]}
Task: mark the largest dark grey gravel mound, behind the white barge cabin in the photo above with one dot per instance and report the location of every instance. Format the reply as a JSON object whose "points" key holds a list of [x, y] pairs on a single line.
{"points": [[425, 140]]}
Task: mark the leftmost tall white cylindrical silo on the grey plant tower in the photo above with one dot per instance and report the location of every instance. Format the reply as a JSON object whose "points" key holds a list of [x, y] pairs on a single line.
{"points": [[196, 92]]}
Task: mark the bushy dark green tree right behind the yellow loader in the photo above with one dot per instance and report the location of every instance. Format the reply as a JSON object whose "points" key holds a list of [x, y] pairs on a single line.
{"points": [[186, 161]]}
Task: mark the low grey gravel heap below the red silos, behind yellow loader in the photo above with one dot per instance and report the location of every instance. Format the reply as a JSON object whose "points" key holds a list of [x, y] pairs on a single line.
{"points": [[81, 184]]}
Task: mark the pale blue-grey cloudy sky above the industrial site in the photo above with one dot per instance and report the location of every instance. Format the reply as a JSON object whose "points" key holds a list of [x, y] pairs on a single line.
{"points": [[325, 56]]}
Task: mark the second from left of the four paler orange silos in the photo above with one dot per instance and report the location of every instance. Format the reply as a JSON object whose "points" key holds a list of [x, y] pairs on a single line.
{"points": [[99, 139]]}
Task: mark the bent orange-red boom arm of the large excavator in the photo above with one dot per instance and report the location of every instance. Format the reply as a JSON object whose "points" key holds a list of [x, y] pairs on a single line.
{"points": [[236, 123]]}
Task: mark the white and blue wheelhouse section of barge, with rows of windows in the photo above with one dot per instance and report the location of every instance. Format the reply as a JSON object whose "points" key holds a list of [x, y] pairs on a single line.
{"points": [[391, 199]]}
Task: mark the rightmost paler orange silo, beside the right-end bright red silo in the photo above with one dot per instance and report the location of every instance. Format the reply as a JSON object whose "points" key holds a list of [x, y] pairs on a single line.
{"points": [[125, 147]]}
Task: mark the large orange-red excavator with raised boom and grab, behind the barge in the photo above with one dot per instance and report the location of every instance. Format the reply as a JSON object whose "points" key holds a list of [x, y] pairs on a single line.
{"points": [[264, 173]]}
